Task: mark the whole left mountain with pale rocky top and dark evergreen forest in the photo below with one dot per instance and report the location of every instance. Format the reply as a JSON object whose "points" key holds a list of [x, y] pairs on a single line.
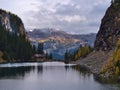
{"points": [[14, 43]]}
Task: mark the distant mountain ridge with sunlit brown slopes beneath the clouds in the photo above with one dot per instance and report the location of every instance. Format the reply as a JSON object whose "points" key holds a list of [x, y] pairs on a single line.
{"points": [[47, 34]]}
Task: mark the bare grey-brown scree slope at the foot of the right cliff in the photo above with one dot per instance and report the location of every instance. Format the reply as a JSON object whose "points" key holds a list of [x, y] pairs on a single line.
{"points": [[94, 61]]}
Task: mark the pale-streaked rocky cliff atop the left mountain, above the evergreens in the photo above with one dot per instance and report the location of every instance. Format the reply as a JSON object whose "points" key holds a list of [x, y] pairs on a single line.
{"points": [[12, 23]]}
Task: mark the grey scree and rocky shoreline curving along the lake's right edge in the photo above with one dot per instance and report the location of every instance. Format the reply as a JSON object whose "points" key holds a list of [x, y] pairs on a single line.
{"points": [[93, 64]]}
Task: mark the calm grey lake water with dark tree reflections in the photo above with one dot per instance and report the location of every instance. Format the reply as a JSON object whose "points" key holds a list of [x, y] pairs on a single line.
{"points": [[48, 76]]}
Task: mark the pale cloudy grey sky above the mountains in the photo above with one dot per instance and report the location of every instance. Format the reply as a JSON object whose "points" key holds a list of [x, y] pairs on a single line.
{"points": [[72, 16]]}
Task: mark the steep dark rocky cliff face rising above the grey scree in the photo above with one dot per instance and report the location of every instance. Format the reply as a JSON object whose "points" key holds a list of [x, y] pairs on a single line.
{"points": [[110, 28]]}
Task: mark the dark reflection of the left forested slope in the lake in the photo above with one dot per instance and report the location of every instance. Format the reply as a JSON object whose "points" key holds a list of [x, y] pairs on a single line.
{"points": [[19, 72]]}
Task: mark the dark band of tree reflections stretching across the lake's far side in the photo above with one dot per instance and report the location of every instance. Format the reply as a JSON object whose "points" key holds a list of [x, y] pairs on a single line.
{"points": [[22, 71]]}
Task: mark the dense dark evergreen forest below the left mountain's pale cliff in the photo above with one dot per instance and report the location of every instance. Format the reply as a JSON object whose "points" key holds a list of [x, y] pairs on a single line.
{"points": [[14, 46]]}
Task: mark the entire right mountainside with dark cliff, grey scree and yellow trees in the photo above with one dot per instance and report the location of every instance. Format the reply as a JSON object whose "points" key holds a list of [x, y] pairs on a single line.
{"points": [[104, 61]]}
